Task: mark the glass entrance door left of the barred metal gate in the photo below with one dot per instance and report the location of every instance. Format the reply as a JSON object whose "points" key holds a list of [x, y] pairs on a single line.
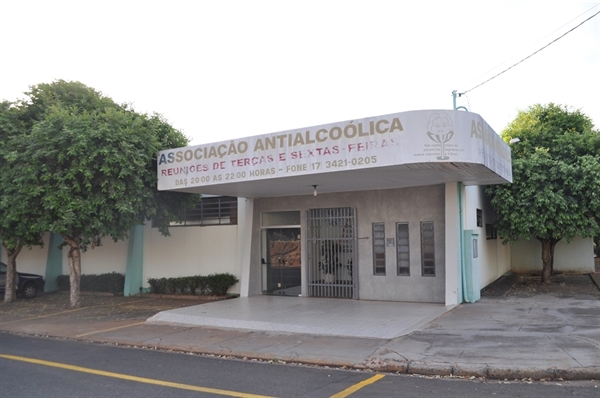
{"points": [[281, 261]]}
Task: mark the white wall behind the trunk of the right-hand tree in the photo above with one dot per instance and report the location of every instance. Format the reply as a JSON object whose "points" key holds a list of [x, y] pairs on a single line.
{"points": [[577, 256]]}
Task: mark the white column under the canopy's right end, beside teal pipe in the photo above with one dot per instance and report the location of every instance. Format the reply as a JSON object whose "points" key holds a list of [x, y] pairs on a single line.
{"points": [[453, 252]]}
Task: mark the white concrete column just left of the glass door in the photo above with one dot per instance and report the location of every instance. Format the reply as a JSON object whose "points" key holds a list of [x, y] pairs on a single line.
{"points": [[245, 220]]}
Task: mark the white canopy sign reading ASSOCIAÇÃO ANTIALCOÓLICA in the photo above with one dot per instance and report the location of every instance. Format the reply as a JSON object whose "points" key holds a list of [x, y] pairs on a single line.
{"points": [[396, 139]]}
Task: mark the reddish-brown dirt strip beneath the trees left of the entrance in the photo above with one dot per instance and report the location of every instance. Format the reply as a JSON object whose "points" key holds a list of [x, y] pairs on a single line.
{"points": [[94, 306]]}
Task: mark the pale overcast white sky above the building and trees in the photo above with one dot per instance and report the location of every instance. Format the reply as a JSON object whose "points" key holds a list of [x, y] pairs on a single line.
{"points": [[220, 70]]}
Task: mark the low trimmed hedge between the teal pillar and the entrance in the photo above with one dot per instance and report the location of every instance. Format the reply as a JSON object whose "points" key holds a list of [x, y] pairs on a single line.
{"points": [[214, 284]]}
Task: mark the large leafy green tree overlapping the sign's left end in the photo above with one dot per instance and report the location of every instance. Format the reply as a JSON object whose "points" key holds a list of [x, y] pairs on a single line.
{"points": [[91, 164]]}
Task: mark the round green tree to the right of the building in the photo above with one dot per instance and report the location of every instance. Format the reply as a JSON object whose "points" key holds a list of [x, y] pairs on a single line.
{"points": [[555, 193]]}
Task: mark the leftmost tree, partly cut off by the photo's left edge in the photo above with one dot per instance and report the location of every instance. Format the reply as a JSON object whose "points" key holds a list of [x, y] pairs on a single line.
{"points": [[19, 212]]}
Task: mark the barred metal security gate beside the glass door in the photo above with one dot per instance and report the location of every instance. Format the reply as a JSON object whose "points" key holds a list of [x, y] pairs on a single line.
{"points": [[331, 252]]}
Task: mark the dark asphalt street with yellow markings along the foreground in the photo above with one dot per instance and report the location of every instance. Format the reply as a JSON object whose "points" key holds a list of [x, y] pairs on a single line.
{"points": [[43, 367]]}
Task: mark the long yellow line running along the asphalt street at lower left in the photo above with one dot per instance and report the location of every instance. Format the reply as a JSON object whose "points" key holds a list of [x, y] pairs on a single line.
{"points": [[134, 378]]}
